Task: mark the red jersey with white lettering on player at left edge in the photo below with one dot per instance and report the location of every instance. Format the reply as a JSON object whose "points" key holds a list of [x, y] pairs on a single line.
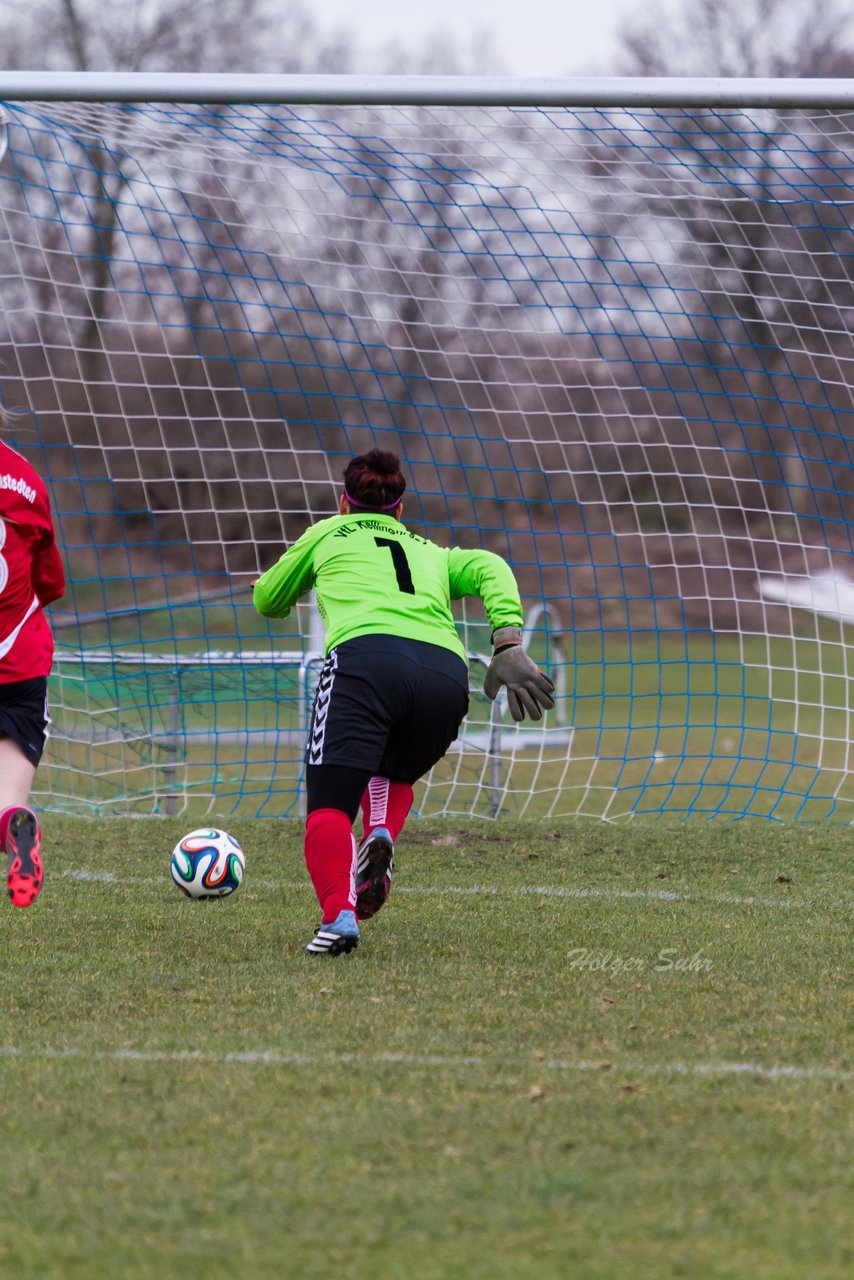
{"points": [[31, 570]]}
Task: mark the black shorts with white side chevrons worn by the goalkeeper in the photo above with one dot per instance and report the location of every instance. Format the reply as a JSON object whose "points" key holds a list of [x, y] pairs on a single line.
{"points": [[387, 706]]}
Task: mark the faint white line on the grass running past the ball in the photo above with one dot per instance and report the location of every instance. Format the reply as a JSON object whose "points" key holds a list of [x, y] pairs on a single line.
{"points": [[650, 895]]}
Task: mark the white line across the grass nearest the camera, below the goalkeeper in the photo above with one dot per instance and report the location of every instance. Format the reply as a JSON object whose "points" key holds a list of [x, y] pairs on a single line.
{"points": [[273, 1058]]}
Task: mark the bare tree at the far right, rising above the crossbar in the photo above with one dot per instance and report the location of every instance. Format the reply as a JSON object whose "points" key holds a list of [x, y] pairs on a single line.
{"points": [[737, 191]]}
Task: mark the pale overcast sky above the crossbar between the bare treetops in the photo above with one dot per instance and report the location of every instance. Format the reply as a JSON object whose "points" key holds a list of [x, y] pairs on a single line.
{"points": [[531, 38]]}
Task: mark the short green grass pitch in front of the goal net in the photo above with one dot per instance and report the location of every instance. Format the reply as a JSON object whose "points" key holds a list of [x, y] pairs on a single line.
{"points": [[563, 1050]]}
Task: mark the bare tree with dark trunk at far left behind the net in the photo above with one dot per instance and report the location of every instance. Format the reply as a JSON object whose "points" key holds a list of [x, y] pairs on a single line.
{"points": [[89, 257]]}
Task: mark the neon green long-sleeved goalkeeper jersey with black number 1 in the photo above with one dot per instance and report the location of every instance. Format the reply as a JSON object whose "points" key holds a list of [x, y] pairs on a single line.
{"points": [[373, 577]]}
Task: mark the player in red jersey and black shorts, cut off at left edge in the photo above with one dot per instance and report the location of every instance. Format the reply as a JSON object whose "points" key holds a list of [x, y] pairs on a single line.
{"points": [[31, 577]]}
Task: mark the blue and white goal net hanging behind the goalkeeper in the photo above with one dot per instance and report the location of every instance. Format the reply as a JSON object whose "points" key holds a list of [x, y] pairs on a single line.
{"points": [[610, 344]]}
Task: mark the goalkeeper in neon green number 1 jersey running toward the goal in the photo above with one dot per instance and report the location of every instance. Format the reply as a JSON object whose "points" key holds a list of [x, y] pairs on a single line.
{"points": [[395, 687]]}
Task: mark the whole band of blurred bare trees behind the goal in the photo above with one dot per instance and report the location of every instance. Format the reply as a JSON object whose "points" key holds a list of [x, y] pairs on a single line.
{"points": [[636, 324]]}
